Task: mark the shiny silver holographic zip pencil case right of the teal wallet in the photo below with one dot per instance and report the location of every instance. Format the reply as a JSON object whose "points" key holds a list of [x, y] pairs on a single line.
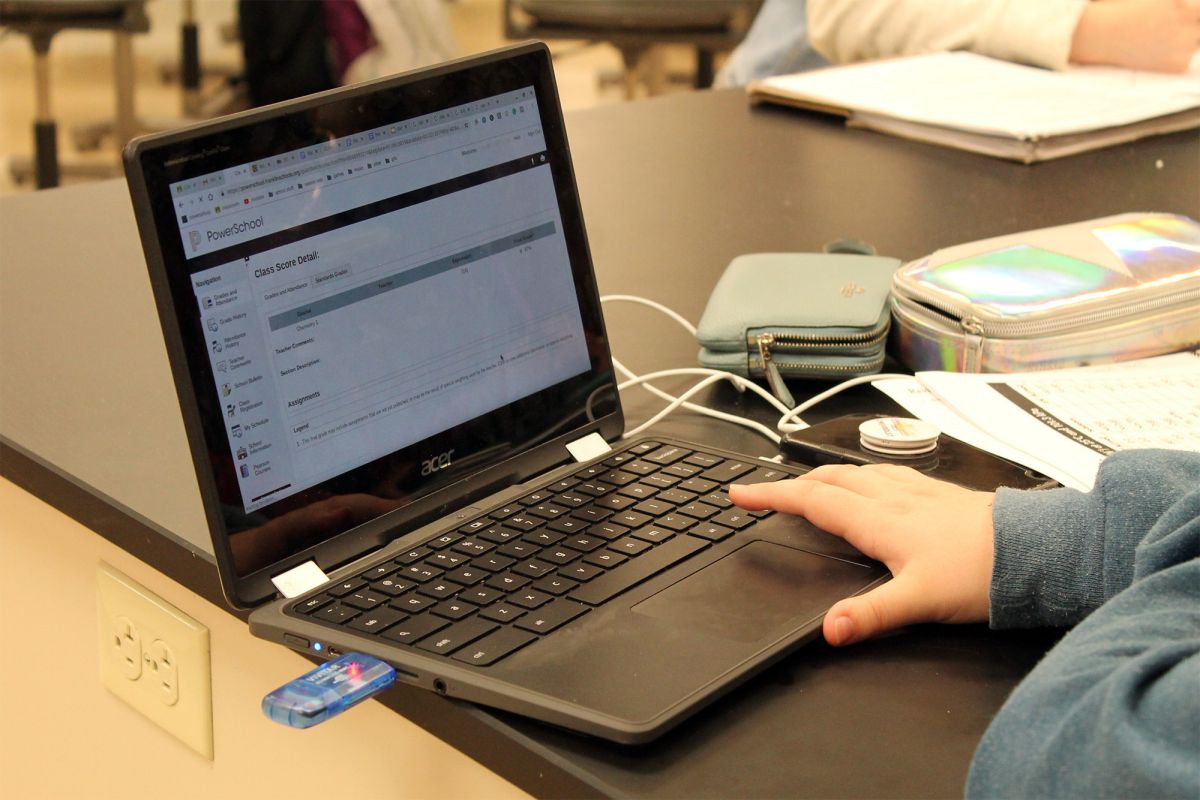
{"points": [[1095, 292]]}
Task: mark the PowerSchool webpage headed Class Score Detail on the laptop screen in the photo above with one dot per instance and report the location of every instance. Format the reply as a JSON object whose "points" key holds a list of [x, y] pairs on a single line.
{"points": [[349, 336]]}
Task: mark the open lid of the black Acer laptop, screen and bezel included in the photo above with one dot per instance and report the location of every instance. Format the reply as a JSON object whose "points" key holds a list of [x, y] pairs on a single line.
{"points": [[379, 304]]}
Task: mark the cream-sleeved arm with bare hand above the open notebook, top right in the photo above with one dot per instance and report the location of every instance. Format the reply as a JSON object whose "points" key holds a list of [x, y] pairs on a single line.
{"points": [[1155, 35]]}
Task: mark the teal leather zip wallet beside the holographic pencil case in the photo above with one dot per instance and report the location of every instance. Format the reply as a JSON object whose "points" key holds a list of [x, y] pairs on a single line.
{"points": [[781, 316]]}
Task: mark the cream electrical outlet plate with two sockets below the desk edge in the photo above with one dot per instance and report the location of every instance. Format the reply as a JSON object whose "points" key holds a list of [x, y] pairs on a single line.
{"points": [[155, 658]]}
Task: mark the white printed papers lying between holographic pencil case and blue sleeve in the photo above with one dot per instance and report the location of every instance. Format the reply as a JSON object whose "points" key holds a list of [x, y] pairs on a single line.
{"points": [[1064, 423]]}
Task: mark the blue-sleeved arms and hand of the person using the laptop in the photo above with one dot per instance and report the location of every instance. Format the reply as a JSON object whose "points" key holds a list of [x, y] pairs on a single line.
{"points": [[1114, 709]]}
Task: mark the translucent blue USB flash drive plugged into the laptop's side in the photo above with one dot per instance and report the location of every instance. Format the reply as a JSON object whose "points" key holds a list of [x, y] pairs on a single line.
{"points": [[328, 690]]}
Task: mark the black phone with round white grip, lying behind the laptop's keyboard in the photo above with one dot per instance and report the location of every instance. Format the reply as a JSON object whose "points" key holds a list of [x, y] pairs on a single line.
{"points": [[837, 442]]}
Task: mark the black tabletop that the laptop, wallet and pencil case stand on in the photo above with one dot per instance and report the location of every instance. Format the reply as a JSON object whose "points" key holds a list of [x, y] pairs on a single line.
{"points": [[673, 190]]}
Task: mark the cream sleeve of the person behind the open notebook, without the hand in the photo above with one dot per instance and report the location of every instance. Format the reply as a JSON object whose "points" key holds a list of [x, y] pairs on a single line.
{"points": [[1030, 32]]}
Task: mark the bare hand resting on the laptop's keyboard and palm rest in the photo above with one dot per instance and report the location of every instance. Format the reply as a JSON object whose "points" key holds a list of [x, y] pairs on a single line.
{"points": [[937, 539]]}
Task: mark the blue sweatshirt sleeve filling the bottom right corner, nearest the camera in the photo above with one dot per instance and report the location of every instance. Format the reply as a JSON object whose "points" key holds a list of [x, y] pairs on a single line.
{"points": [[1114, 709]]}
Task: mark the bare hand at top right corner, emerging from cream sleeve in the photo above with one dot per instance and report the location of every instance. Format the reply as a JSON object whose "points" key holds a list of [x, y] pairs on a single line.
{"points": [[1159, 35]]}
